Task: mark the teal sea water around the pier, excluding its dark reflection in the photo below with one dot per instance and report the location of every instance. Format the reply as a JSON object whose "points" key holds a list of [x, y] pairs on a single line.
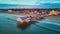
{"points": [[45, 26]]}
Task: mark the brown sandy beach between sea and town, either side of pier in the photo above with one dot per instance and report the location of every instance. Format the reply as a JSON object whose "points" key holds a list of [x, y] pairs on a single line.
{"points": [[47, 17]]}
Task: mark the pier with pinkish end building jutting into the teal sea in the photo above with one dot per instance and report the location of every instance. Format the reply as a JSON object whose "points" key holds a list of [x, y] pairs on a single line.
{"points": [[27, 20]]}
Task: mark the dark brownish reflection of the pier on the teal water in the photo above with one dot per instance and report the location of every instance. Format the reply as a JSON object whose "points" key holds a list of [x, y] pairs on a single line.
{"points": [[22, 27]]}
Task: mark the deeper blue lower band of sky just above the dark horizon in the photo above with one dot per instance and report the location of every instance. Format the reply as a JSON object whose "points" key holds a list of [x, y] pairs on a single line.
{"points": [[16, 6]]}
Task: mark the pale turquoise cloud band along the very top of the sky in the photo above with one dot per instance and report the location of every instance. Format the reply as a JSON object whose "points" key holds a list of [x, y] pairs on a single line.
{"points": [[28, 2]]}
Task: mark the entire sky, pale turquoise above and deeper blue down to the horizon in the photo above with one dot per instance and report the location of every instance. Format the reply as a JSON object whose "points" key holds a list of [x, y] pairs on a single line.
{"points": [[7, 4]]}
